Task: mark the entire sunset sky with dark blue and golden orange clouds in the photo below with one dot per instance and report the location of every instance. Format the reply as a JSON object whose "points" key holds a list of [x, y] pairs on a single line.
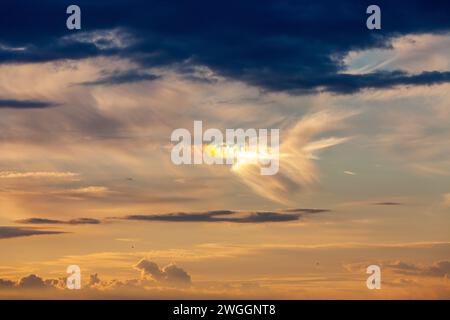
{"points": [[86, 176]]}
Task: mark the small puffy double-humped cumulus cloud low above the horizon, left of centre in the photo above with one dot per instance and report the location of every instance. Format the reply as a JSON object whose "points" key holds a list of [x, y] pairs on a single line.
{"points": [[170, 274]]}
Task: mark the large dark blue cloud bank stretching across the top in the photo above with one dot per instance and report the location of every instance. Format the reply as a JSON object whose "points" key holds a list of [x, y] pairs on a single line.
{"points": [[281, 45]]}
